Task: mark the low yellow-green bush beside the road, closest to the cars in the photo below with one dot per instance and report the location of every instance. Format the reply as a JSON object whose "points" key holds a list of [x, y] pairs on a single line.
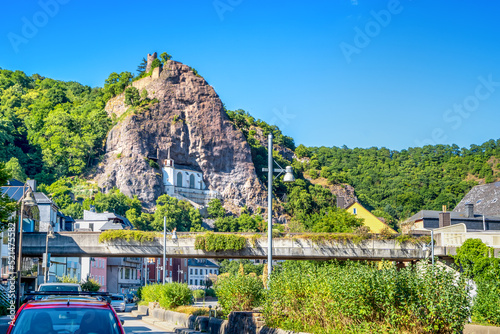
{"points": [[169, 296]]}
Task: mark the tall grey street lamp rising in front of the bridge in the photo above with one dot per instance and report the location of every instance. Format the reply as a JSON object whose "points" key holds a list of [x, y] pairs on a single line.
{"points": [[270, 177]]}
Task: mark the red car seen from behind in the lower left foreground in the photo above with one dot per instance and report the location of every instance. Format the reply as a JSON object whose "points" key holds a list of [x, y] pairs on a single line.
{"points": [[66, 315]]}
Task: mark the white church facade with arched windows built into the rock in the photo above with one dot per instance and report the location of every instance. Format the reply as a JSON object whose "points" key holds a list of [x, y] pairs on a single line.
{"points": [[184, 182]]}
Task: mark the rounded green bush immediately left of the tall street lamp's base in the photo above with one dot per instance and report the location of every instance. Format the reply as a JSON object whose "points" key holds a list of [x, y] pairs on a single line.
{"points": [[239, 292]]}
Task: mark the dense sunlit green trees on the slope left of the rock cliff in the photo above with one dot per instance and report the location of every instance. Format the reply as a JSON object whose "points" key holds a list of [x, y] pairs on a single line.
{"points": [[53, 128]]}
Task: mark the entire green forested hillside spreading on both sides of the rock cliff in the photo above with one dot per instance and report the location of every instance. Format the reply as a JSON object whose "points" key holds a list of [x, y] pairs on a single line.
{"points": [[55, 132]]}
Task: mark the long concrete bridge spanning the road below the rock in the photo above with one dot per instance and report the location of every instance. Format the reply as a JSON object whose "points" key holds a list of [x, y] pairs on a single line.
{"points": [[86, 244]]}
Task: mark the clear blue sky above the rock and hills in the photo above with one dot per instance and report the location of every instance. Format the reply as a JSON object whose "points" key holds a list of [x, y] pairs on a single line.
{"points": [[359, 73]]}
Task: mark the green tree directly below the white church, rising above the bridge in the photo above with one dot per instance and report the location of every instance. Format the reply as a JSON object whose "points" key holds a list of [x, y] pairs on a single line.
{"points": [[179, 214]]}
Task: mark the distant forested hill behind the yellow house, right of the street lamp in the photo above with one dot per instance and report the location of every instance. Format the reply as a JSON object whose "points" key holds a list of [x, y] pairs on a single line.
{"points": [[400, 183]]}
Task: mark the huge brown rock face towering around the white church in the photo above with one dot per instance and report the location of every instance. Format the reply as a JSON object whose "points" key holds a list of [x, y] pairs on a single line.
{"points": [[189, 118]]}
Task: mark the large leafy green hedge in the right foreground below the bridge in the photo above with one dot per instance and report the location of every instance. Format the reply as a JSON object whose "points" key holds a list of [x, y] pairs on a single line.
{"points": [[329, 297]]}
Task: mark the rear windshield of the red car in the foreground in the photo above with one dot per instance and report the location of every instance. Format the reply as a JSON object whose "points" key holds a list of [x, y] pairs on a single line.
{"points": [[66, 320]]}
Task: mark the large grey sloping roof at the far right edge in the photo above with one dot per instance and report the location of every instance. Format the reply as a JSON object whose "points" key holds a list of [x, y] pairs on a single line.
{"points": [[485, 197]]}
